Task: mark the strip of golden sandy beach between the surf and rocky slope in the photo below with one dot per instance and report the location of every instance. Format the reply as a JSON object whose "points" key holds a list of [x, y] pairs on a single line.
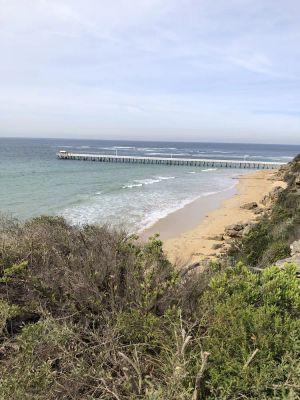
{"points": [[189, 234]]}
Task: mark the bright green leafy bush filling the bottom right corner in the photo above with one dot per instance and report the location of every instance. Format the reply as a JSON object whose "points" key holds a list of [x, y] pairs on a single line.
{"points": [[253, 334]]}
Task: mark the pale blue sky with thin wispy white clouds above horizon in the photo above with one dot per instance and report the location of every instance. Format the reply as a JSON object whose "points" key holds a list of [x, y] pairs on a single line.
{"points": [[199, 70]]}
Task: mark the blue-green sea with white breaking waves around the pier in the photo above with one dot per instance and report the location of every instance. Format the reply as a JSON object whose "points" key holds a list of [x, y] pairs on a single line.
{"points": [[134, 196]]}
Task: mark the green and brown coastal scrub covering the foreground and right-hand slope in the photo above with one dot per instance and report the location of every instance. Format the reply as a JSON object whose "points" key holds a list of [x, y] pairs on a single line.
{"points": [[89, 313]]}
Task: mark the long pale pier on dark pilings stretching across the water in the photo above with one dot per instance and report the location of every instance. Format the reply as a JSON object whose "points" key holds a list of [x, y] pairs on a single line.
{"points": [[190, 162]]}
